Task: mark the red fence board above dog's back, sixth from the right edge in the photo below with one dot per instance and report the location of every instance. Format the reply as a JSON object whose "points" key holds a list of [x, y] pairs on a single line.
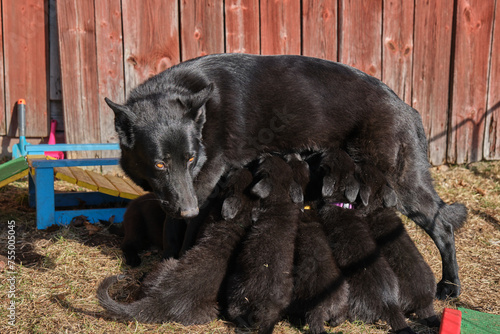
{"points": [[319, 28]]}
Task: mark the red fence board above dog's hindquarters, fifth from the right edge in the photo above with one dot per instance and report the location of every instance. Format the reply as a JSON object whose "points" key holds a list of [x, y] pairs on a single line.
{"points": [[361, 28]]}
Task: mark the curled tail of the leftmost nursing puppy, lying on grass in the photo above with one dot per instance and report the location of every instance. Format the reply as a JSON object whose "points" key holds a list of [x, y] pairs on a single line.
{"points": [[137, 310]]}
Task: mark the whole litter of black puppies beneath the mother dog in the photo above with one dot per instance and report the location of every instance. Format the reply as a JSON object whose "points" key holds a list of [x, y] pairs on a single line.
{"points": [[313, 238]]}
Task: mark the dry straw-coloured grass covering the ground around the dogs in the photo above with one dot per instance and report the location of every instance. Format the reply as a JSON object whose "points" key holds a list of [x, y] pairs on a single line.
{"points": [[58, 271]]}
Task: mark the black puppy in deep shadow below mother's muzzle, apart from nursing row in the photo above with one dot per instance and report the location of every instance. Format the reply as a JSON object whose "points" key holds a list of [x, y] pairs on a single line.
{"points": [[142, 227]]}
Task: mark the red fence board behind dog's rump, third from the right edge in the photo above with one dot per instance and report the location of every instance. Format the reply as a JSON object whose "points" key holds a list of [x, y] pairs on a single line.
{"points": [[431, 72]]}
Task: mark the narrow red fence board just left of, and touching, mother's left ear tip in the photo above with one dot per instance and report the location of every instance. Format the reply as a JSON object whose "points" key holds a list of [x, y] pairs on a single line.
{"points": [[111, 81]]}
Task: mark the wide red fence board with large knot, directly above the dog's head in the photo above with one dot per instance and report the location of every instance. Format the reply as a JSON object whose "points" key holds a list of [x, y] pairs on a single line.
{"points": [[150, 38]]}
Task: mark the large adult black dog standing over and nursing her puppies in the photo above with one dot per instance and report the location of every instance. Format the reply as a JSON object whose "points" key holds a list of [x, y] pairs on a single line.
{"points": [[181, 130]]}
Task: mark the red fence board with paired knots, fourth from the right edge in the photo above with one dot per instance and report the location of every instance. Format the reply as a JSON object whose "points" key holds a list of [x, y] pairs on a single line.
{"points": [[397, 50]]}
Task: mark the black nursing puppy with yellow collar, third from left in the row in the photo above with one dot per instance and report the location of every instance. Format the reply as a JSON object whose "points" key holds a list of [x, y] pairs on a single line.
{"points": [[320, 291]]}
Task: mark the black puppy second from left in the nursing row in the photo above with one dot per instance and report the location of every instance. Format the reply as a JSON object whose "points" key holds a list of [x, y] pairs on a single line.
{"points": [[260, 285]]}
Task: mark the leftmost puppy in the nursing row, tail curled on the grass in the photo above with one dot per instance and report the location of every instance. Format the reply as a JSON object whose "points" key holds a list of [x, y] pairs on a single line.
{"points": [[186, 290]]}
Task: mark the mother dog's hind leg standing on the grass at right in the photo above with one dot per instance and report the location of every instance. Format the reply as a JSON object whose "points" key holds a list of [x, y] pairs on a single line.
{"points": [[419, 201]]}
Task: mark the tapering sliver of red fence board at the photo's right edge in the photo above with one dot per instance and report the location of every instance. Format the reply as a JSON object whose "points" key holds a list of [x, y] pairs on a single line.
{"points": [[492, 125]]}
